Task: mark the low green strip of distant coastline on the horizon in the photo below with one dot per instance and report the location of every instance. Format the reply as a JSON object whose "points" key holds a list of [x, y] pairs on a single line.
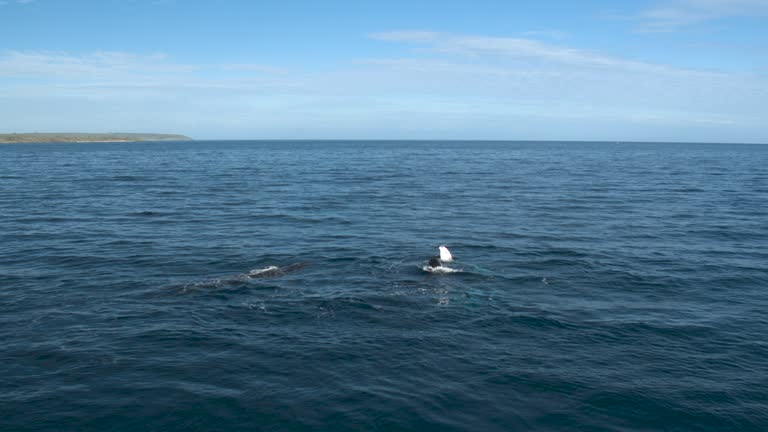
{"points": [[25, 138]]}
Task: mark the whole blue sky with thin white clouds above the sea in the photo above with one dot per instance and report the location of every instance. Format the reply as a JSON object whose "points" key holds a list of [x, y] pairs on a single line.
{"points": [[655, 70]]}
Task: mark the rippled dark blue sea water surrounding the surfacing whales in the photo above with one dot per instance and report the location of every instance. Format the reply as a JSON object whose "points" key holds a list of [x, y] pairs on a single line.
{"points": [[603, 287]]}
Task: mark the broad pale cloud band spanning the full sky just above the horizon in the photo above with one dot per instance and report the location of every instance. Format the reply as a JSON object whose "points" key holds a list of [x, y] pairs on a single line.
{"points": [[451, 85]]}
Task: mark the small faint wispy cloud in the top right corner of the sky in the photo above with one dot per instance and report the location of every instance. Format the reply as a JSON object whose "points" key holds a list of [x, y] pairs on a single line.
{"points": [[669, 15]]}
